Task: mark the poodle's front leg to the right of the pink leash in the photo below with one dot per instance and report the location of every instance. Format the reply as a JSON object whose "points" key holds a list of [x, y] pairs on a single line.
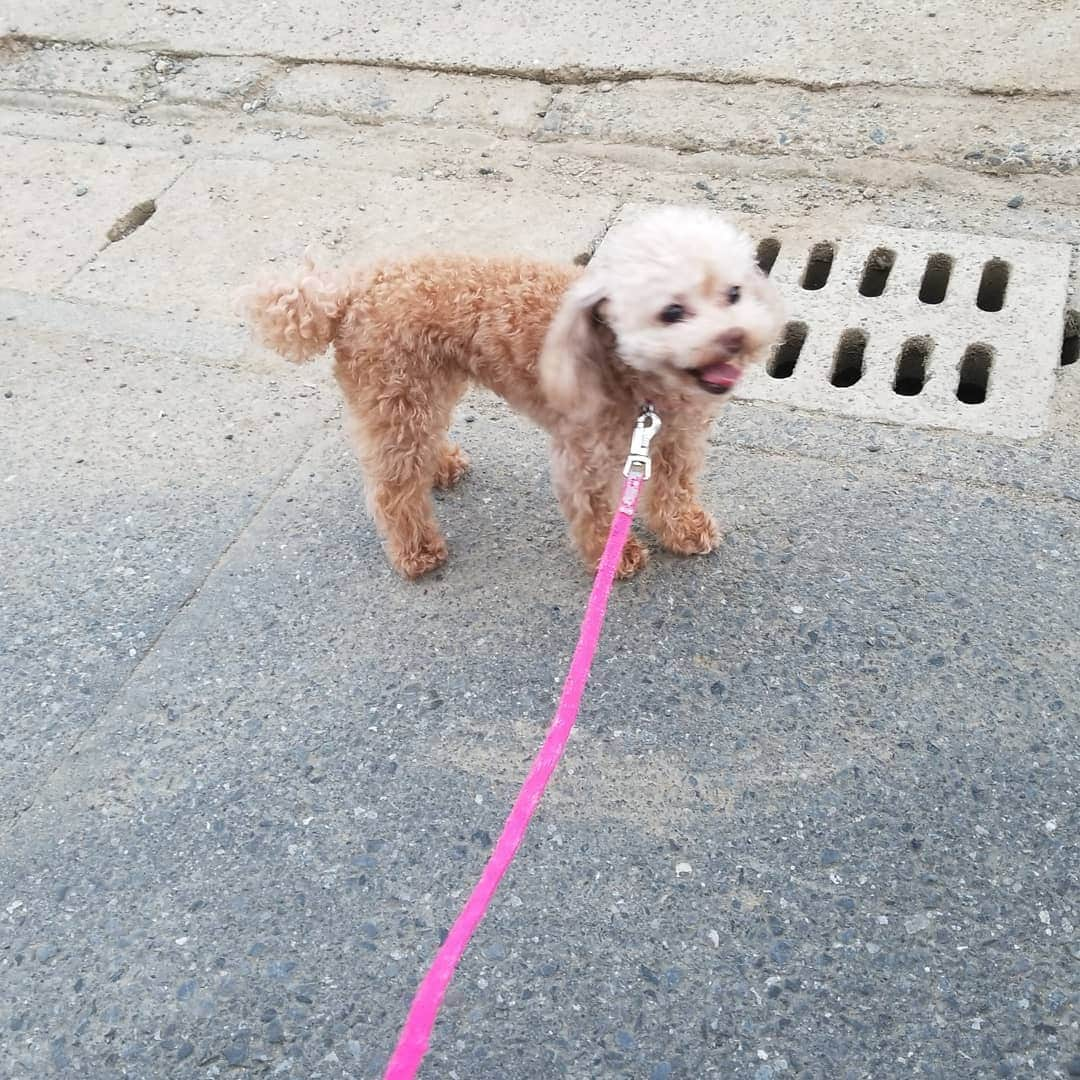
{"points": [[672, 510]]}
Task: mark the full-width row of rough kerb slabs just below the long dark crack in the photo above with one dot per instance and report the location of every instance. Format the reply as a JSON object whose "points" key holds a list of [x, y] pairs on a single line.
{"points": [[1010, 136]]}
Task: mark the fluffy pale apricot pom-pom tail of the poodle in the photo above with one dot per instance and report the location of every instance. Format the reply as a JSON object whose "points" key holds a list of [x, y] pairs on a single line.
{"points": [[298, 316]]}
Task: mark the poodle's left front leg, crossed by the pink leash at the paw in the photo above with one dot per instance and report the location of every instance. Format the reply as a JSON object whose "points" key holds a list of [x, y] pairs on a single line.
{"points": [[588, 480]]}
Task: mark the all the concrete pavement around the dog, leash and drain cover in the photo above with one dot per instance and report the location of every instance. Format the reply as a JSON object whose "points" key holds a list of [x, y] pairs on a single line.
{"points": [[820, 815]]}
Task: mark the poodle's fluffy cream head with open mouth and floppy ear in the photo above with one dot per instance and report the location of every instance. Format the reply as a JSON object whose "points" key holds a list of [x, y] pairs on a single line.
{"points": [[678, 296]]}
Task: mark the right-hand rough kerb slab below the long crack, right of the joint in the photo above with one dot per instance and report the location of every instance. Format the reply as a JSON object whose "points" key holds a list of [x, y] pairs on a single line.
{"points": [[1008, 136]]}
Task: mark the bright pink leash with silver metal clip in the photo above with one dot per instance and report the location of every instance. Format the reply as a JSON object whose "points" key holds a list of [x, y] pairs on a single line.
{"points": [[416, 1034]]}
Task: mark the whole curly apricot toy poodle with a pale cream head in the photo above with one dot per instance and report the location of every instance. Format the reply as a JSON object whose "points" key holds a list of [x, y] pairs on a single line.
{"points": [[671, 310]]}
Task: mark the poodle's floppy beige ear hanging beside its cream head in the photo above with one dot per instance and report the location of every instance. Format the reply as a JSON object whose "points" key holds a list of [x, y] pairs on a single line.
{"points": [[573, 359]]}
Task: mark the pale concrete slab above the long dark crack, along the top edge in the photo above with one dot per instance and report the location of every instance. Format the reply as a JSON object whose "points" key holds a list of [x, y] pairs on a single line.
{"points": [[841, 43]]}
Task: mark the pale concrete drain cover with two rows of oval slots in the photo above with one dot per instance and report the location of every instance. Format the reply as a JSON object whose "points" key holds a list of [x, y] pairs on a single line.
{"points": [[931, 329]]}
